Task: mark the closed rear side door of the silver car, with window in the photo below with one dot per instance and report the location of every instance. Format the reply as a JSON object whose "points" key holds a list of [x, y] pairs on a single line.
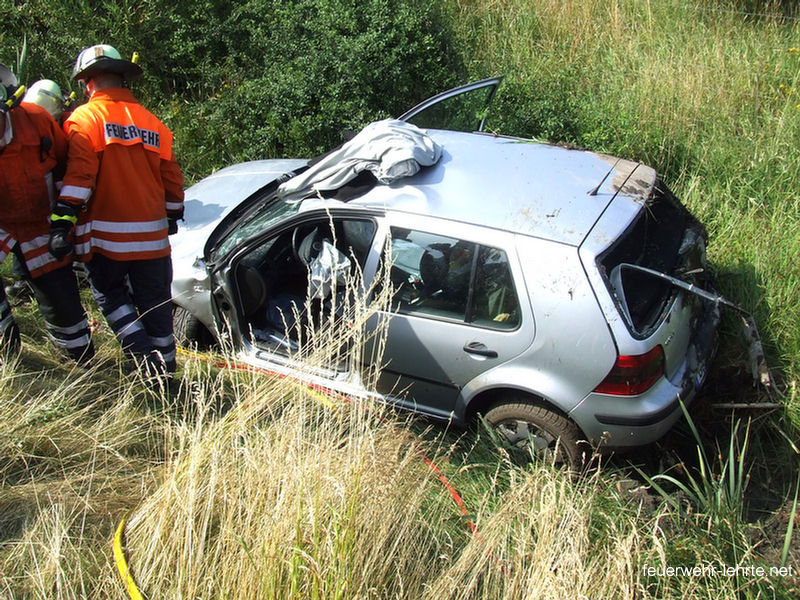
{"points": [[460, 309]]}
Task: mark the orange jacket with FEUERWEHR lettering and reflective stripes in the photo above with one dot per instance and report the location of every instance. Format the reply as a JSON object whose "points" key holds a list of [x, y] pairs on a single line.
{"points": [[121, 167]]}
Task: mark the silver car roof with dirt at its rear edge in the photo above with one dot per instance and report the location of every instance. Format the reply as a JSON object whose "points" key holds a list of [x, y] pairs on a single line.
{"points": [[516, 185]]}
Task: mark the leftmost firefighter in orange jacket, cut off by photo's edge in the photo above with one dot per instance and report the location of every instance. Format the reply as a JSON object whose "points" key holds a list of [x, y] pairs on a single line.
{"points": [[32, 154]]}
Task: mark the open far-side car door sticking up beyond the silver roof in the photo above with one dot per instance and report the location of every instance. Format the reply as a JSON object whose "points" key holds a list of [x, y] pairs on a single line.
{"points": [[461, 109]]}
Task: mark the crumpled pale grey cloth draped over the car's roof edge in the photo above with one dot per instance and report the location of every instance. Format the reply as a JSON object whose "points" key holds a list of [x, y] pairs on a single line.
{"points": [[390, 149]]}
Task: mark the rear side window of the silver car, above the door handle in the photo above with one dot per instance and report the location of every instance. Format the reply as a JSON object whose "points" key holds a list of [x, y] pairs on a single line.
{"points": [[449, 278]]}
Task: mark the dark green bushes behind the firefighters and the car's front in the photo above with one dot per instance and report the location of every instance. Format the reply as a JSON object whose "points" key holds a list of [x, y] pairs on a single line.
{"points": [[265, 78]]}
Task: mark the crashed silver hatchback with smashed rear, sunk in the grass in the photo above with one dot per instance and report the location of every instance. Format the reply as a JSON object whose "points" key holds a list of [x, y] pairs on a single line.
{"points": [[534, 284]]}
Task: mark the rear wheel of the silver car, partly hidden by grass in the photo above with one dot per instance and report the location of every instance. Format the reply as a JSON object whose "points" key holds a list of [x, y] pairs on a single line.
{"points": [[527, 430]]}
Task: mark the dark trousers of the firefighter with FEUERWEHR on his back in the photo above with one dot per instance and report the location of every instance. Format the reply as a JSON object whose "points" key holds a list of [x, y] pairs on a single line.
{"points": [[135, 298]]}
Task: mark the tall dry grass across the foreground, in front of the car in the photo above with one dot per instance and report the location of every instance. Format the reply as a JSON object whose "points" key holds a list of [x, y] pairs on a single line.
{"points": [[245, 485]]}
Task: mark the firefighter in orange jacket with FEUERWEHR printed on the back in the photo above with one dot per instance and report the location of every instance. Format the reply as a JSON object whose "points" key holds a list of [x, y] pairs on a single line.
{"points": [[122, 196]]}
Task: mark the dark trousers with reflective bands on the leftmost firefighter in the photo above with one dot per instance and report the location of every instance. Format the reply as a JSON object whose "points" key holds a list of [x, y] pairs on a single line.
{"points": [[59, 303]]}
